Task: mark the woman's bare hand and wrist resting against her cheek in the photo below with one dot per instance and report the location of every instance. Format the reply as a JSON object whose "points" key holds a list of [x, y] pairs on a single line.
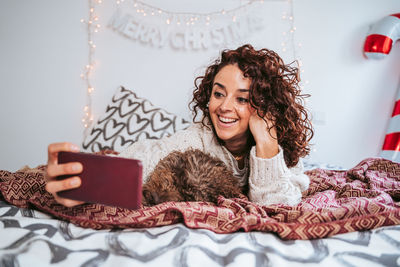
{"points": [[266, 141]]}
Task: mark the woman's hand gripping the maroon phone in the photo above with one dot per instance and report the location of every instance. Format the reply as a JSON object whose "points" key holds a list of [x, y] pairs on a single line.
{"points": [[54, 169]]}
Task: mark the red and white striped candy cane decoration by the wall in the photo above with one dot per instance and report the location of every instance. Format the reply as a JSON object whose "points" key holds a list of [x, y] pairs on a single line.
{"points": [[377, 45]]}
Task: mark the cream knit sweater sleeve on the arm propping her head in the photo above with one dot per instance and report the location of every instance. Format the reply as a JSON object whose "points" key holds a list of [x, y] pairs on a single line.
{"points": [[272, 182]]}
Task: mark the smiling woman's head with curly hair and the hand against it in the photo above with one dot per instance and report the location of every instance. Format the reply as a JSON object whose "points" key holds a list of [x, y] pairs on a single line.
{"points": [[258, 85]]}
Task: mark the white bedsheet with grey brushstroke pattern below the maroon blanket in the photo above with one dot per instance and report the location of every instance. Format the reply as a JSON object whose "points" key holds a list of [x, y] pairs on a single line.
{"points": [[31, 238]]}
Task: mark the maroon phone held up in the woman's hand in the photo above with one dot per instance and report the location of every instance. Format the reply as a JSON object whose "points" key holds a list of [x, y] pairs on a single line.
{"points": [[107, 180]]}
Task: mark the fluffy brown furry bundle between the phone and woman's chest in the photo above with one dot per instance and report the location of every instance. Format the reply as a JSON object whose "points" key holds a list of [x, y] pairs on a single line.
{"points": [[190, 176]]}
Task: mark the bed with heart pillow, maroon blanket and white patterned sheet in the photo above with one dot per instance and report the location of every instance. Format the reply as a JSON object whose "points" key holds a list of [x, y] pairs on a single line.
{"points": [[347, 217]]}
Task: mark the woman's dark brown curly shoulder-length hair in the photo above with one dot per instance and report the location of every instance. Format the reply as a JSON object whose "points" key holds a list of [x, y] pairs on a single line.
{"points": [[274, 90]]}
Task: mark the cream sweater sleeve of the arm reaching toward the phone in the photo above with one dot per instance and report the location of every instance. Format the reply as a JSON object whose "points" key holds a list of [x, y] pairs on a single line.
{"points": [[150, 152]]}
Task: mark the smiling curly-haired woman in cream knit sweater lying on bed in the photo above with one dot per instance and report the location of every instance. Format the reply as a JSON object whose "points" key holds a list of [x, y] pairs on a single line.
{"points": [[252, 118]]}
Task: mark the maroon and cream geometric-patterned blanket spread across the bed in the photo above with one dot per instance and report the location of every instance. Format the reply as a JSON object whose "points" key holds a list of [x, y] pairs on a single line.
{"points": [[364, 197]]}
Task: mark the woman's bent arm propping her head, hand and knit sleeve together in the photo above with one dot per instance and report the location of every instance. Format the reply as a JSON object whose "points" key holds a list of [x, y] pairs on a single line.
{"points": [[286, 185]]}
